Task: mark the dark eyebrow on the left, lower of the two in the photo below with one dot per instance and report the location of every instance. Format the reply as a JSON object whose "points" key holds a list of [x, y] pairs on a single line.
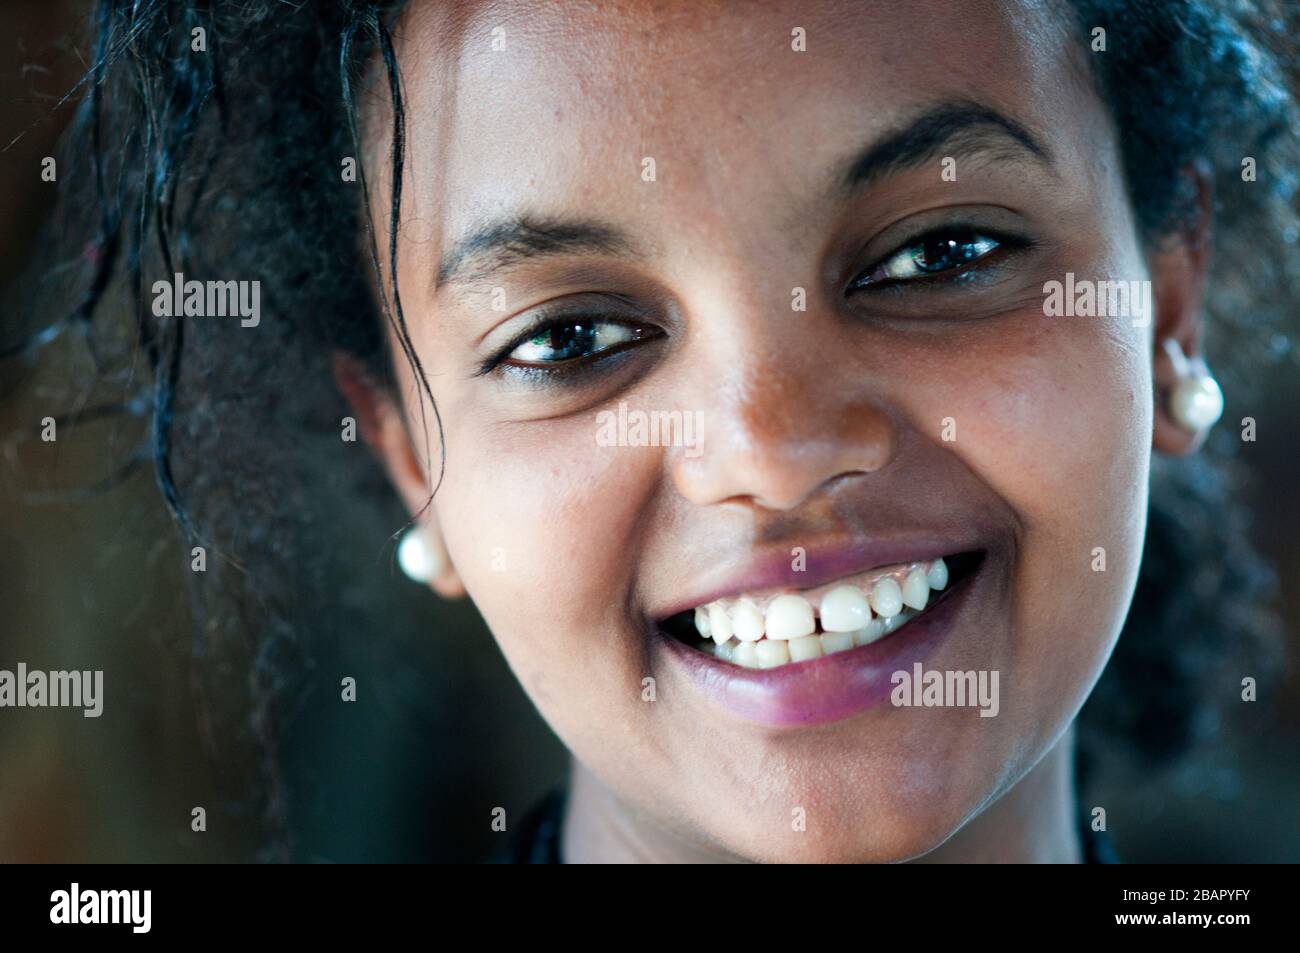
{"points": [[500, 245]]}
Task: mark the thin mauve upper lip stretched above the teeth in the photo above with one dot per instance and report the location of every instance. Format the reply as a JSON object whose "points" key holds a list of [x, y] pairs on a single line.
{"points": [[825, 564]]}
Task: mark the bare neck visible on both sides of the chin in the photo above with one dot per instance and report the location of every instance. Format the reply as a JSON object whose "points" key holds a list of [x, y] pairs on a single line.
{"points": [[1032, 824]]}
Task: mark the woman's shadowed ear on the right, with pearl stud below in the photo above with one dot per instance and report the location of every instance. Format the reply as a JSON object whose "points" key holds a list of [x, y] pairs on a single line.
{"points": [[1178, 271]]}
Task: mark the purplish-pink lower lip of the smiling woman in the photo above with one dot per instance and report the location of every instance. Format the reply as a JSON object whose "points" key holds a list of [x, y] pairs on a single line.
{"points": [[833, 687]]}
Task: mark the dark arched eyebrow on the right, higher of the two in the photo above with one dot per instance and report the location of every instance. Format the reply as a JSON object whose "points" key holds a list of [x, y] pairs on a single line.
{"points": [[960, 127]]}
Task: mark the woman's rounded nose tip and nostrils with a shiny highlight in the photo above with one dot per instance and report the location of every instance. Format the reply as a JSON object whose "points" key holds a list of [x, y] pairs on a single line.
{"points": [[779, 431]]}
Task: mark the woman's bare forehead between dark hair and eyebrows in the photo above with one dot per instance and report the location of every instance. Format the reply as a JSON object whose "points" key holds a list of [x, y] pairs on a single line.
{"points": [[557, 107]]}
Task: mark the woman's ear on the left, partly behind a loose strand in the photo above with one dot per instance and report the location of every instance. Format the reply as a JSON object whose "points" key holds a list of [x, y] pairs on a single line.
{"points": [[385, 432]]}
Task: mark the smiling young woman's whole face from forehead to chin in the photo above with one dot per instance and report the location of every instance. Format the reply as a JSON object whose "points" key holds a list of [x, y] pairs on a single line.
{"points": [[822, 235]]}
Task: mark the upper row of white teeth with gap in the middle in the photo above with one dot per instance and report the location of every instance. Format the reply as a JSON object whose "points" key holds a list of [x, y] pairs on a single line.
{"points": [[843, 609]]}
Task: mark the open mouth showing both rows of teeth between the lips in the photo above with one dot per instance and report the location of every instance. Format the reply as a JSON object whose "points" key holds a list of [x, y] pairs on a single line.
{"points": [[786, 629]]}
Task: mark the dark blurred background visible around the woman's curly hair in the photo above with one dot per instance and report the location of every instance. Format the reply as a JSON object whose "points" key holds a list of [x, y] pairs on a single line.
{"points": [[441, 734]]}
